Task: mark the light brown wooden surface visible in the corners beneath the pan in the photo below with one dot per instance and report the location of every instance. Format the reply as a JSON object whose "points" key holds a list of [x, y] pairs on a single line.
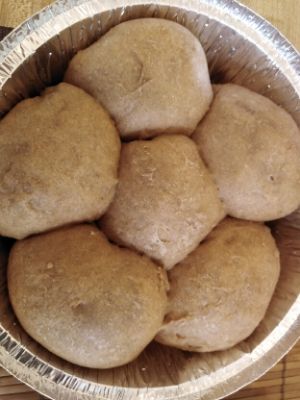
{"points": [[283, 381]]}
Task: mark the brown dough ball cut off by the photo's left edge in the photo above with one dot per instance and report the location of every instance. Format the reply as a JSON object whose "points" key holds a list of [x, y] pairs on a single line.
{"points": [[59, 161]]}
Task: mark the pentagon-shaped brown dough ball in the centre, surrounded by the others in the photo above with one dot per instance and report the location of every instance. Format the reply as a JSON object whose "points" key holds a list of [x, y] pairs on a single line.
{"points": [[166, 201]]}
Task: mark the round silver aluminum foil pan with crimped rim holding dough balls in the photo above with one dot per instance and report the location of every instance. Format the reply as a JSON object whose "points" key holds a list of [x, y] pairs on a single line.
{"points": [[242, 48]]}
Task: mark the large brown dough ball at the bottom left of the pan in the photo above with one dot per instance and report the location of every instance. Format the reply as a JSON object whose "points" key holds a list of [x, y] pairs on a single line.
{"points": [[84, 299]]}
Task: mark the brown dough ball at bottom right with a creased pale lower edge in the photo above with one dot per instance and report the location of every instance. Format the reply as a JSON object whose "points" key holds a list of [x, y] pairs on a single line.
{"points": [[220, 293]]}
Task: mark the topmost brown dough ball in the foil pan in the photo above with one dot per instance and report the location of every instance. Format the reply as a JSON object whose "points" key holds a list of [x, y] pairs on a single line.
{"points": [[150, 74]]}
